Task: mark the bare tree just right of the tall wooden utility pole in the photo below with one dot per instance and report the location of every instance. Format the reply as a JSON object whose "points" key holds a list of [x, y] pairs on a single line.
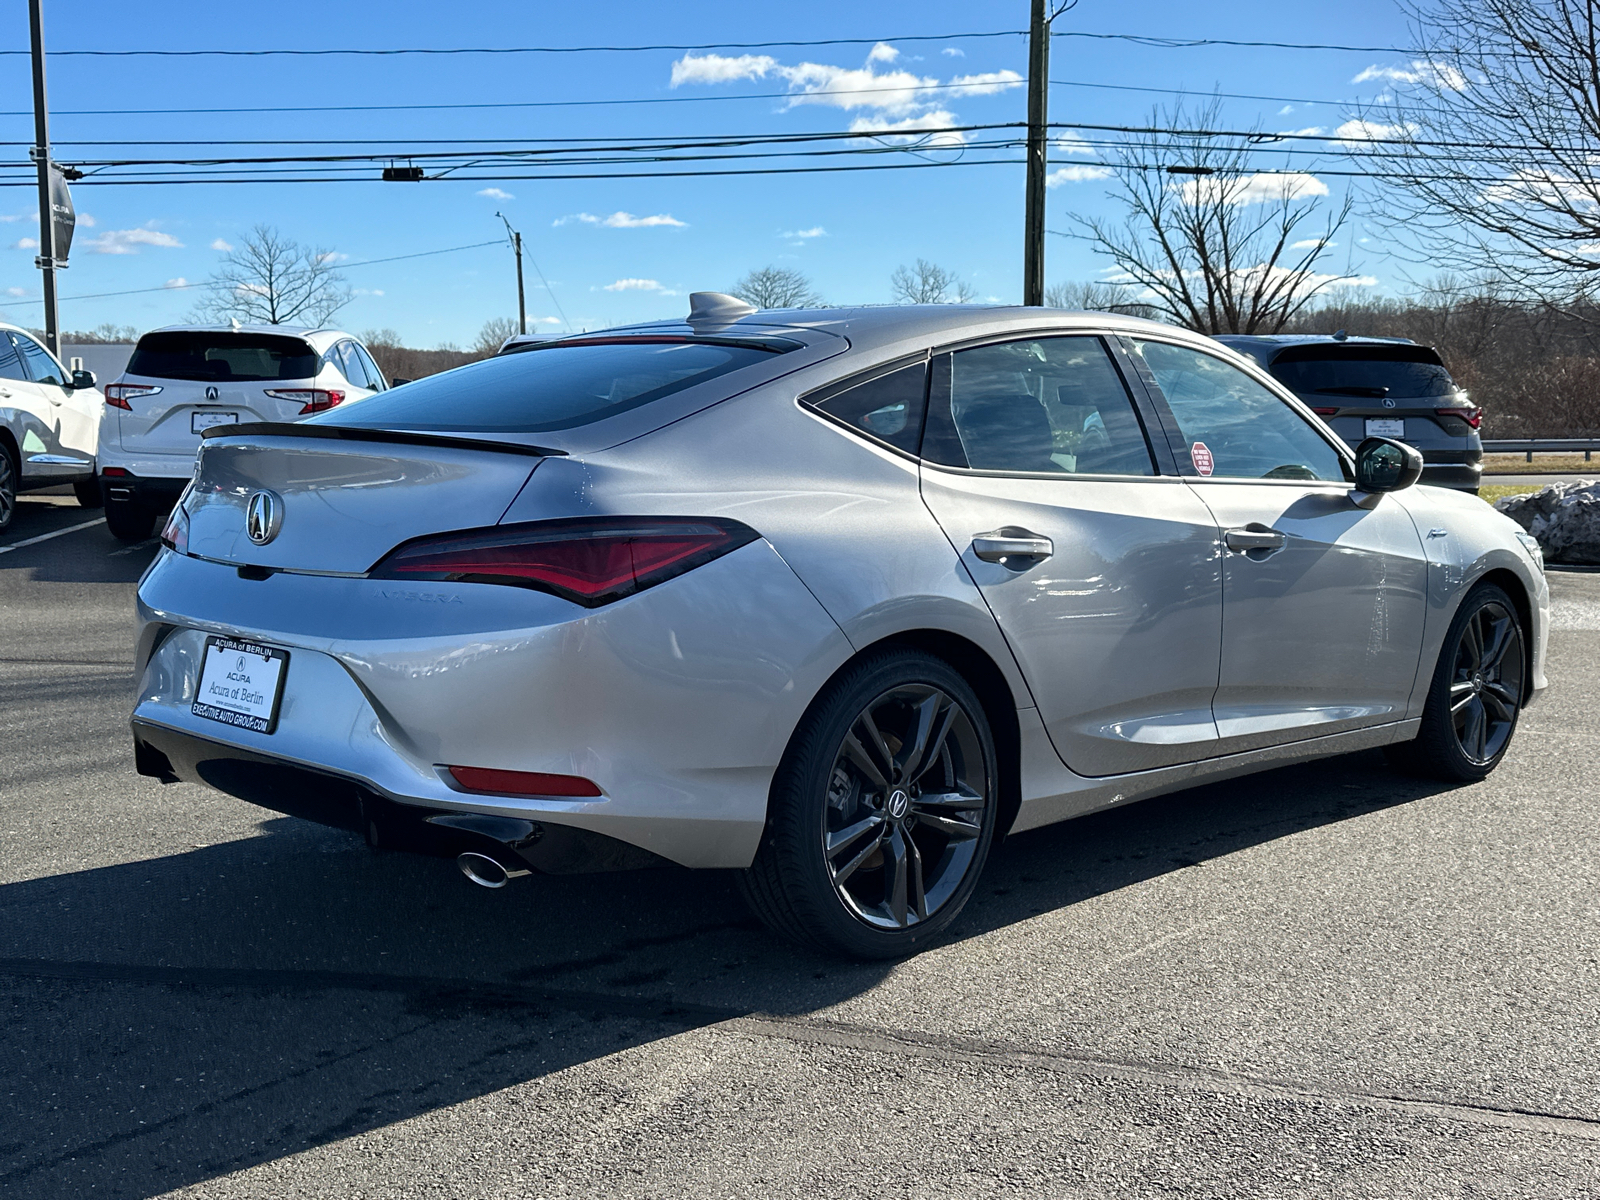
{"points": [[1209, 242]]}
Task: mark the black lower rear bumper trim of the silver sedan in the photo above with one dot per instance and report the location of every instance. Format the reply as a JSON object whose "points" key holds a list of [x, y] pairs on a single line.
{"points": [[337, 801]]}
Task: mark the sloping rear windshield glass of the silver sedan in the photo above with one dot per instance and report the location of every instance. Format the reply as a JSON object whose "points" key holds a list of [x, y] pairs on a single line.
{"points": [[548, 388]]}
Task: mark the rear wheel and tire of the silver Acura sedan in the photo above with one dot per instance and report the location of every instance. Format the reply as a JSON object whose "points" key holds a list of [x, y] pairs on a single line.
{"points": [[874, 847]]}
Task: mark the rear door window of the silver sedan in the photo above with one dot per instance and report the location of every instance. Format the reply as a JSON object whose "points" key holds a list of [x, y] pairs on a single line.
{"points": [[1046, 406]]}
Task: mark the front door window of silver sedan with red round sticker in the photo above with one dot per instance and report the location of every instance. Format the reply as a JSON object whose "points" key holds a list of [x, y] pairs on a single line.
{"points": [[1234, 426]]}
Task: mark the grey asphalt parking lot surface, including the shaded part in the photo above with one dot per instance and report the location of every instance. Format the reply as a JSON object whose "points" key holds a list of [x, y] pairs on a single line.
{"points": [[1324, 982]]}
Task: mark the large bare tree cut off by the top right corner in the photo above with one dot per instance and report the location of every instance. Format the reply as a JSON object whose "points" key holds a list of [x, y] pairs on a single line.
{"points": [[1494, 137]]}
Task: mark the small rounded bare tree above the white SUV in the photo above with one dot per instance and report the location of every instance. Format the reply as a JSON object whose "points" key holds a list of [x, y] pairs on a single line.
{"points": [[273, 281]]}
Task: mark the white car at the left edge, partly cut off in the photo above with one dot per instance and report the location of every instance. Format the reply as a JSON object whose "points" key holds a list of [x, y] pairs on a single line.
{"points": [[49, 423]]}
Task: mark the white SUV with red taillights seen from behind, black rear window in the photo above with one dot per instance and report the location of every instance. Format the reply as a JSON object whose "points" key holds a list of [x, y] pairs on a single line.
{"points": [[188, 378]]}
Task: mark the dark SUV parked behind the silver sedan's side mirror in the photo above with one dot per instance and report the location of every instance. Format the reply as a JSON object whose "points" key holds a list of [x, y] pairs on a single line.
{"points": [[1380, 388]]}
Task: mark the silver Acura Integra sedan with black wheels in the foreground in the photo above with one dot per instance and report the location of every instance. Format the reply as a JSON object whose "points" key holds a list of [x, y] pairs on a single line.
{"points": [[831, 598]]}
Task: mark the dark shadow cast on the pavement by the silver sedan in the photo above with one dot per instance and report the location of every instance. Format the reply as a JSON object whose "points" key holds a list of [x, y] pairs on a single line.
{"points": [[182, 1018]]}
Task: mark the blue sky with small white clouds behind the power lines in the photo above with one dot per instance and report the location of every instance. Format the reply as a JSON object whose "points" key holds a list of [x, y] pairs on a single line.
{"points": [[846, 231]]}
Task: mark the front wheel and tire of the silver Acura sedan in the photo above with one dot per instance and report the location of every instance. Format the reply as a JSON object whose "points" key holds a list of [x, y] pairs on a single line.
{"points": [[1476, 697]]}
